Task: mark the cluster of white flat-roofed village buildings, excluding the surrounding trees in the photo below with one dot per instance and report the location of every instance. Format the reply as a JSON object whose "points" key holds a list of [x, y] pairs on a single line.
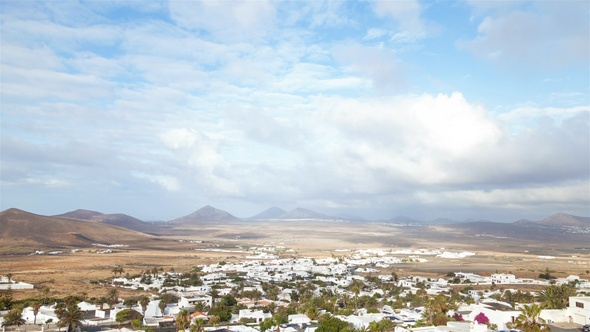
{"points": [[336, 275]]}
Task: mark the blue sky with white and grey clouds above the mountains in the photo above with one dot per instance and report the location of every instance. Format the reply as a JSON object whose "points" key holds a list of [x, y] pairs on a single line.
{"points": [[454, 109]]}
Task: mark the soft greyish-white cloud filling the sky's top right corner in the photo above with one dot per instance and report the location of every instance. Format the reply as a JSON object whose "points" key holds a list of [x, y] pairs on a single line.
{"points": [[546, 33]]}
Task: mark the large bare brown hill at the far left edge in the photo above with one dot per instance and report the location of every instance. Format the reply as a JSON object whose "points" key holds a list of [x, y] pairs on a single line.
{"points": [[22, 231]]}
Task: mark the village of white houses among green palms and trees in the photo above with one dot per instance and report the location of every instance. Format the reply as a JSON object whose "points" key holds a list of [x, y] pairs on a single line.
{"points": [[347, 292]]}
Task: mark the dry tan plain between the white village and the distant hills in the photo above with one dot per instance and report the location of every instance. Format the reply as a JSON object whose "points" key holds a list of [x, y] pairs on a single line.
{"points": [[73, 273]]}
